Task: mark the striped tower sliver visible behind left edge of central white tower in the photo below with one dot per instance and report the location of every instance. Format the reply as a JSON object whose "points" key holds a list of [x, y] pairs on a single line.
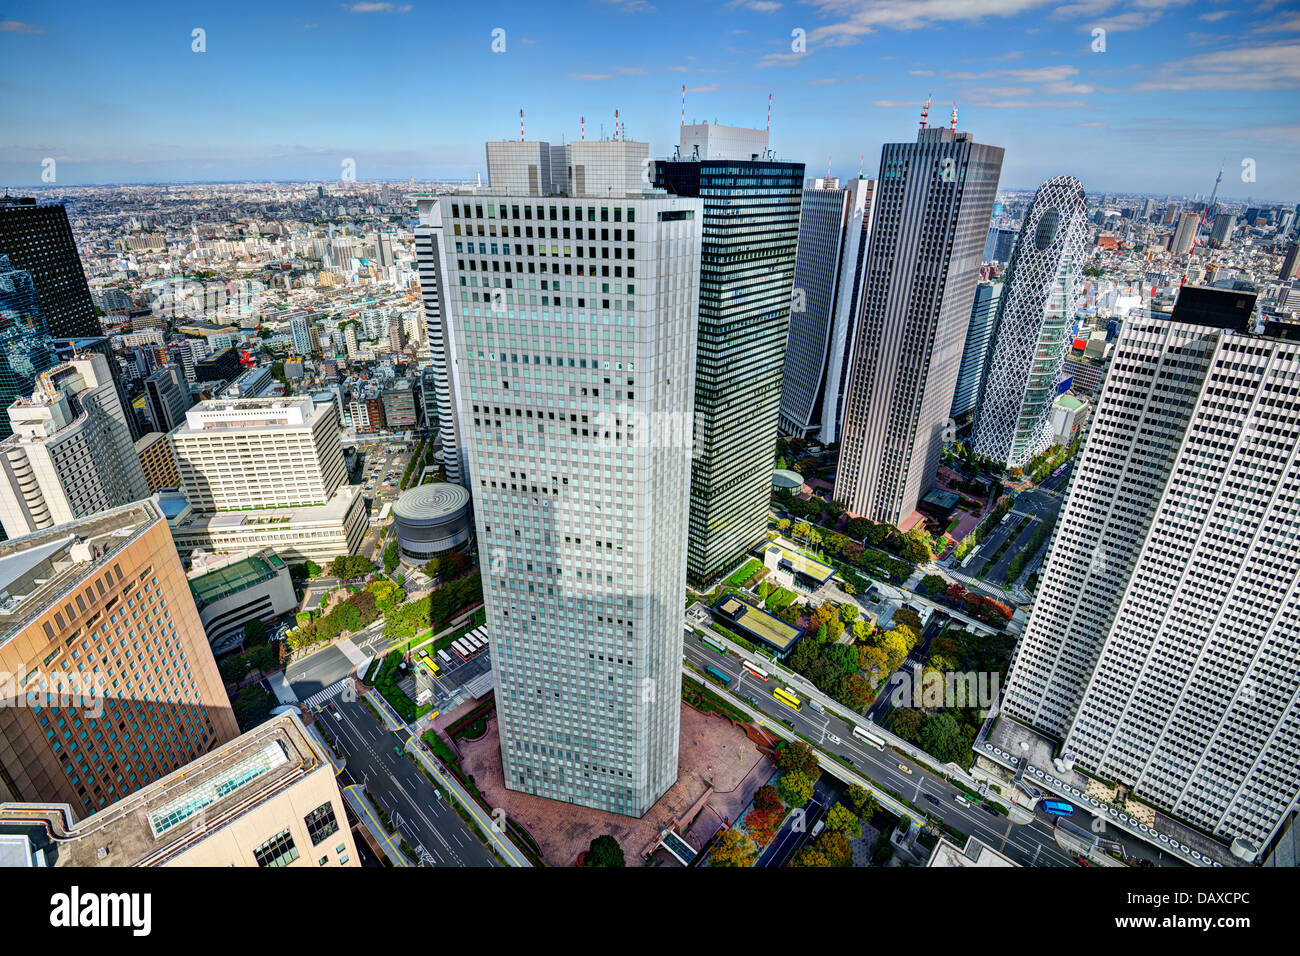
{"points": [[431, 250]]}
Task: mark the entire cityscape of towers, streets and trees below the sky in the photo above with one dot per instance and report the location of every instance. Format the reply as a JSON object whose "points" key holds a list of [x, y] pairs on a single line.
{"points": [[634, 505]]}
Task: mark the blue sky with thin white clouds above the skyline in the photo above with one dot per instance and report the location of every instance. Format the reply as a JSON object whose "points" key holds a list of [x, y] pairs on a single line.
{"points": [[288, 90]]}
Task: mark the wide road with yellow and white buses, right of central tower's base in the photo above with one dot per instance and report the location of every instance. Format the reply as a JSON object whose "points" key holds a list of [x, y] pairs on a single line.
{"points": [[1030, 845]]}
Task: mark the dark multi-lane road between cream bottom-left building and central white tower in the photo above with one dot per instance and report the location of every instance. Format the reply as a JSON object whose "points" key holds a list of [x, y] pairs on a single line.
{"points": [[434, 829]]}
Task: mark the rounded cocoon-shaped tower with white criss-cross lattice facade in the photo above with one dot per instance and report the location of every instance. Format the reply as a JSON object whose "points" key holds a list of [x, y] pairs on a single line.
{"points": [[1032, 336]]}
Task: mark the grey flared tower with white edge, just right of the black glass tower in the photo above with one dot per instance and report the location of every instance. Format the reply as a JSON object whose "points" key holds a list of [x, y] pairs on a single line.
{"points": [[829, 279]]}
